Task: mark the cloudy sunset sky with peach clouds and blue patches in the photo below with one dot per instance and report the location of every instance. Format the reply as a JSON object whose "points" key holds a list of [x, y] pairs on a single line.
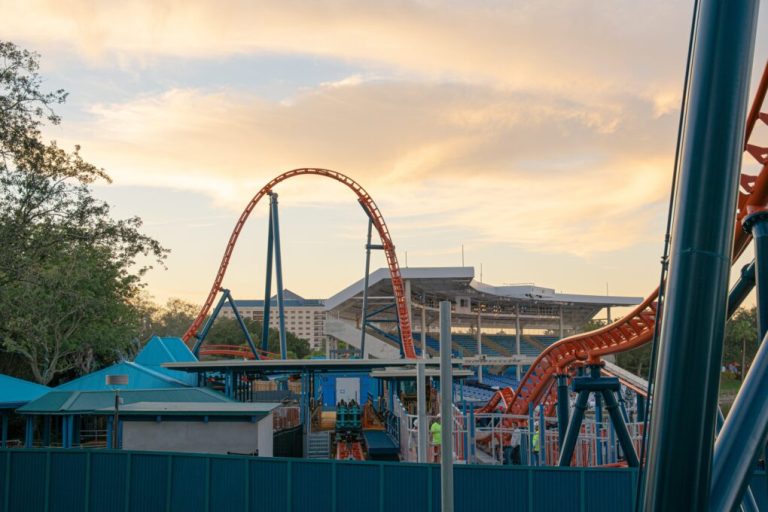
{"points": [[539, 135]]}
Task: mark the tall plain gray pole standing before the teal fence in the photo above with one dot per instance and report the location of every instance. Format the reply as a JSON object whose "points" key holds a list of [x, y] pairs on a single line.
{"points": [[446, 408]]}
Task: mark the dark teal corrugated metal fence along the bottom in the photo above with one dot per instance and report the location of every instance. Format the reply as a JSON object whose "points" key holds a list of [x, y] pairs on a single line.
{"points": [[53, 480]]}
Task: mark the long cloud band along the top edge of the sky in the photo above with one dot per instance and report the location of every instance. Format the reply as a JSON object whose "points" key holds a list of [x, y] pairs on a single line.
{"points": [[584, 48]]}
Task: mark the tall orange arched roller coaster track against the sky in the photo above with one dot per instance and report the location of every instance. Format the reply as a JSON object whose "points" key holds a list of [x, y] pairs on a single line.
{"points": [[368, 204]]}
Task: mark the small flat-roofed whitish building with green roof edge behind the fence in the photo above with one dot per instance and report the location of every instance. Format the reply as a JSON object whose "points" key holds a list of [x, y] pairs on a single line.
{"points": [[199, 427]]}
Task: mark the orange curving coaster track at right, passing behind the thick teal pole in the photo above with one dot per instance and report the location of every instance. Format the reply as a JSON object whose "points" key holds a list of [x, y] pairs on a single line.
{"points": [[637, 327]]}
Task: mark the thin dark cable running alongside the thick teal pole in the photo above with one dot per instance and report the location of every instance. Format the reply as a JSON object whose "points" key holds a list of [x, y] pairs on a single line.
{"points": [[665, 260]]}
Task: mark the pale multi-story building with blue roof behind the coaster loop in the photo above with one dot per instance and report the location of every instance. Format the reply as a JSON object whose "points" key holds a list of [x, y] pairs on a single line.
{"points": [[303, 317]]}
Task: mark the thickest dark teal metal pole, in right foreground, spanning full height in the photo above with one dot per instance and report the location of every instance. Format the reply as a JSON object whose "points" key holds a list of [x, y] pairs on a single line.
{"points": [[690, 344]]}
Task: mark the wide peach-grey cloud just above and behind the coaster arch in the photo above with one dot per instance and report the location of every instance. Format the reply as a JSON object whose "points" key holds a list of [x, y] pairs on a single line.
{"points": [[533, 169]]}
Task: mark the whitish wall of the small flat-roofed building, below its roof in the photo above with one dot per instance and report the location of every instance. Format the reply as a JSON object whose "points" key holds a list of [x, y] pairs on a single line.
{"points": [[200, 437]]}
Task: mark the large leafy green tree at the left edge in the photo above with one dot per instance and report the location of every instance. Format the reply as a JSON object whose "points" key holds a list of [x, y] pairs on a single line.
{"points": [[69, 279]]}
